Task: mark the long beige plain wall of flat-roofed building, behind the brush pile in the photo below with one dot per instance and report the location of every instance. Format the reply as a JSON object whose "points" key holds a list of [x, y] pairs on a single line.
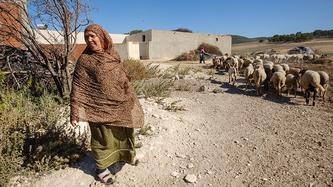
{"points": [[170, 44]]}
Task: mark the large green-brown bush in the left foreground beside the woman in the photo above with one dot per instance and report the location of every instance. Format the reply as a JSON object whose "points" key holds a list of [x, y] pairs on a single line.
{"points": [[30, 138]]}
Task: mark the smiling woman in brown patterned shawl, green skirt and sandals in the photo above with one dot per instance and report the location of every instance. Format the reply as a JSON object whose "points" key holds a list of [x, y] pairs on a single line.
{"points": [[102, 96]]}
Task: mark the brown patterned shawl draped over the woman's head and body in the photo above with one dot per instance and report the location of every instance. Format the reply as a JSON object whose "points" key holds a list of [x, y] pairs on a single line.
{"points": [[101, 92]]}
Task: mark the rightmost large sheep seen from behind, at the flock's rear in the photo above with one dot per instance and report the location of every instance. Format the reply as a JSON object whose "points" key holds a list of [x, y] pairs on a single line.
{"points": [[310, 81]]}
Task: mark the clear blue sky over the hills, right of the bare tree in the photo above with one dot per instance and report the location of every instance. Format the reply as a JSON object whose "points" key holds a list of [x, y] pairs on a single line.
{"points": [[251, 18]]}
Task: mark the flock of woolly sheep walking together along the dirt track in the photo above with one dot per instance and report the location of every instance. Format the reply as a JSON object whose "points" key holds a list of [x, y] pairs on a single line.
{"points": [[273, 71]]}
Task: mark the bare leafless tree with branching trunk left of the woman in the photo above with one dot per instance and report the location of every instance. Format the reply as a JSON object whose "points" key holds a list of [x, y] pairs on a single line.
{"points": [[64, 19]]}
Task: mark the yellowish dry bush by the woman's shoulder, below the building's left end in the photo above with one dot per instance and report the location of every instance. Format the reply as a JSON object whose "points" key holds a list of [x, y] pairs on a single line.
{"points": [[139, 71]]}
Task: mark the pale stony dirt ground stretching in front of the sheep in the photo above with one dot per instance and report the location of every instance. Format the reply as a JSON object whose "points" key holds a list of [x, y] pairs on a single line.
{"points": [[228, 138]]}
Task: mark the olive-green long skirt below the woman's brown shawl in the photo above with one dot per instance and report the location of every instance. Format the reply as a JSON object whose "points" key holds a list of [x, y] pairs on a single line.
{"points": [[110, 144]]}
